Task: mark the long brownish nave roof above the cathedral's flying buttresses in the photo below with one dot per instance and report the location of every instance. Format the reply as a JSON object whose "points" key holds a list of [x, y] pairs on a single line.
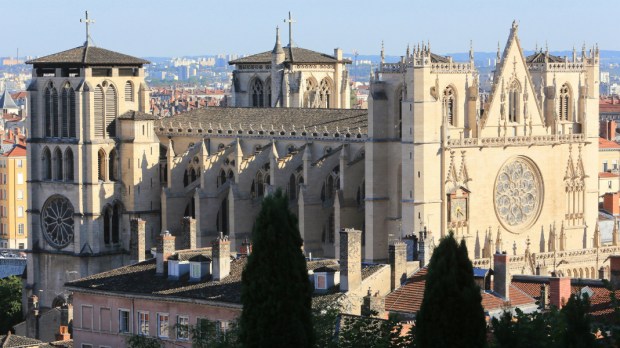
{"points": [[253, 118]]}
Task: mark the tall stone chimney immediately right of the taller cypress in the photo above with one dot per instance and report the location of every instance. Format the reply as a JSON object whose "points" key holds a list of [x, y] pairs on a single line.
{"points": [[350, 259]]}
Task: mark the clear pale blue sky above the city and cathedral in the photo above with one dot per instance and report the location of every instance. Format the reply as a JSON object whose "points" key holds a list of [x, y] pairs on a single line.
{"points": [[150, 28]]}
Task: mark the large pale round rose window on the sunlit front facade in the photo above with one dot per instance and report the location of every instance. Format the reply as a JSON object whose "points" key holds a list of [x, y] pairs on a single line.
{"points": [[518, 193]]}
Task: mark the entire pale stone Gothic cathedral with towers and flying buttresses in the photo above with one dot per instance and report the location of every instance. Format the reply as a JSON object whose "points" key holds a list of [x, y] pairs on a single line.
{"points": [[513, 172]]}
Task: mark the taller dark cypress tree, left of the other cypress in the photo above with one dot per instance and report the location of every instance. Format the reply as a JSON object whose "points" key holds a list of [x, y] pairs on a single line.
{"points": [[276, 292]]}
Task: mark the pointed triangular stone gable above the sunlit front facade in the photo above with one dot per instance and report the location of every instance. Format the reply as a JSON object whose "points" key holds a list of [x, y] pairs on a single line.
{"points": [[507, 113]]}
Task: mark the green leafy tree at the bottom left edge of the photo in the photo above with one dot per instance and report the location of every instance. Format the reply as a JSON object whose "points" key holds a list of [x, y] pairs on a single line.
{"points": [[10, 303]]}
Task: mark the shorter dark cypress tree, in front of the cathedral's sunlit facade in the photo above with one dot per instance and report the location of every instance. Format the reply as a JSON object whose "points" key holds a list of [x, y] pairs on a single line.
{"points": [[451, 314]]}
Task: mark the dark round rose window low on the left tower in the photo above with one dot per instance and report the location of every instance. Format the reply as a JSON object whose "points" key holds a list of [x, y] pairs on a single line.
{"points": [[57, 221]]}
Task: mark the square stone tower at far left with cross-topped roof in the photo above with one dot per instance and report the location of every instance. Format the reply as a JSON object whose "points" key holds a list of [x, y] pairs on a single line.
{"points": [[94, 158]]}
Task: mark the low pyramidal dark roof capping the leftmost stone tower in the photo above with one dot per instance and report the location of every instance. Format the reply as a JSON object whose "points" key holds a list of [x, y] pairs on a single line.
{"points": [[88, 55]]}
